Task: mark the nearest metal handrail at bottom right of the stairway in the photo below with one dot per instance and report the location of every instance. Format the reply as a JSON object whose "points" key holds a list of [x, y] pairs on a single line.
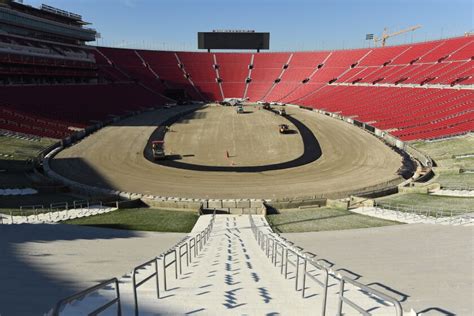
{"points": [[369, 291]]}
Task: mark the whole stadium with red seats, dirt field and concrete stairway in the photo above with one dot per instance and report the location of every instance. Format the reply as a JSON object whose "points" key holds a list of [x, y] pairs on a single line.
{"points": [[228, 179]]}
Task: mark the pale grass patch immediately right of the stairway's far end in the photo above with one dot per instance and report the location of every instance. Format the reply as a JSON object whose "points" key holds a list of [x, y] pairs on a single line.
{"points": [[322, 219]]}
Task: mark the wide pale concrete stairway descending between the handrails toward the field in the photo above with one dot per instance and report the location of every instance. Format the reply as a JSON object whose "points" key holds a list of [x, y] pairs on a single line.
{"points": [[238, 270]]}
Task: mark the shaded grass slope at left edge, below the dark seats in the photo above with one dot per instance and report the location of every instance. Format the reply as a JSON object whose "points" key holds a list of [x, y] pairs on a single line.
{"points": [[13, 148]]}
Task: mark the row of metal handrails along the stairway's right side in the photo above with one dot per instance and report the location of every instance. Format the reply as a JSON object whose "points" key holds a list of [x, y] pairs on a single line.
{"points": [[288, 258]]}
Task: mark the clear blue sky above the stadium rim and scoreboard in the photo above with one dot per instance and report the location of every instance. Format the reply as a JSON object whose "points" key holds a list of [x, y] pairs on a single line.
{"points": [[293, 24]]}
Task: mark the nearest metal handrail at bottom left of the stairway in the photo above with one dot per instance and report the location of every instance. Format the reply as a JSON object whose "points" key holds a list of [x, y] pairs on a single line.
{"points": [[82, 294]]}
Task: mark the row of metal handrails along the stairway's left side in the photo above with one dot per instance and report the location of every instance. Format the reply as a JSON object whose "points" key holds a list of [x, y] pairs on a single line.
{"points": [[157, 268]]}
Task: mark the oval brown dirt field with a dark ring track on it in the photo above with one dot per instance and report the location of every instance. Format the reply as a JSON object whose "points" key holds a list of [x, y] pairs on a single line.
{"points": [[261, 162]]}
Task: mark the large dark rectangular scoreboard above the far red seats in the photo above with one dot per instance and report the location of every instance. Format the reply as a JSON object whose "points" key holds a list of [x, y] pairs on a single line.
{"points": [[230, 39]]}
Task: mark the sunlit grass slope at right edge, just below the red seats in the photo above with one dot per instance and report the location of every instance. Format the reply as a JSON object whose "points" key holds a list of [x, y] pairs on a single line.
{"points": [[444, 154]]}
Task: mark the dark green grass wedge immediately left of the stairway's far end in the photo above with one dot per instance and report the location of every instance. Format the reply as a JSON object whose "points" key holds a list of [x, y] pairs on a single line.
{"points": [[144, 219]]}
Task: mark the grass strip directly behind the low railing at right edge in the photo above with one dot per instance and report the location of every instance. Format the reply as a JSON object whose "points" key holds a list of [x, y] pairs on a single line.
{"points": [[458, 205]]}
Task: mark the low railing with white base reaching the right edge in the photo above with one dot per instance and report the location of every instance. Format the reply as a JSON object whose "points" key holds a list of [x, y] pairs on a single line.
{"points": [[425, 213]]}
